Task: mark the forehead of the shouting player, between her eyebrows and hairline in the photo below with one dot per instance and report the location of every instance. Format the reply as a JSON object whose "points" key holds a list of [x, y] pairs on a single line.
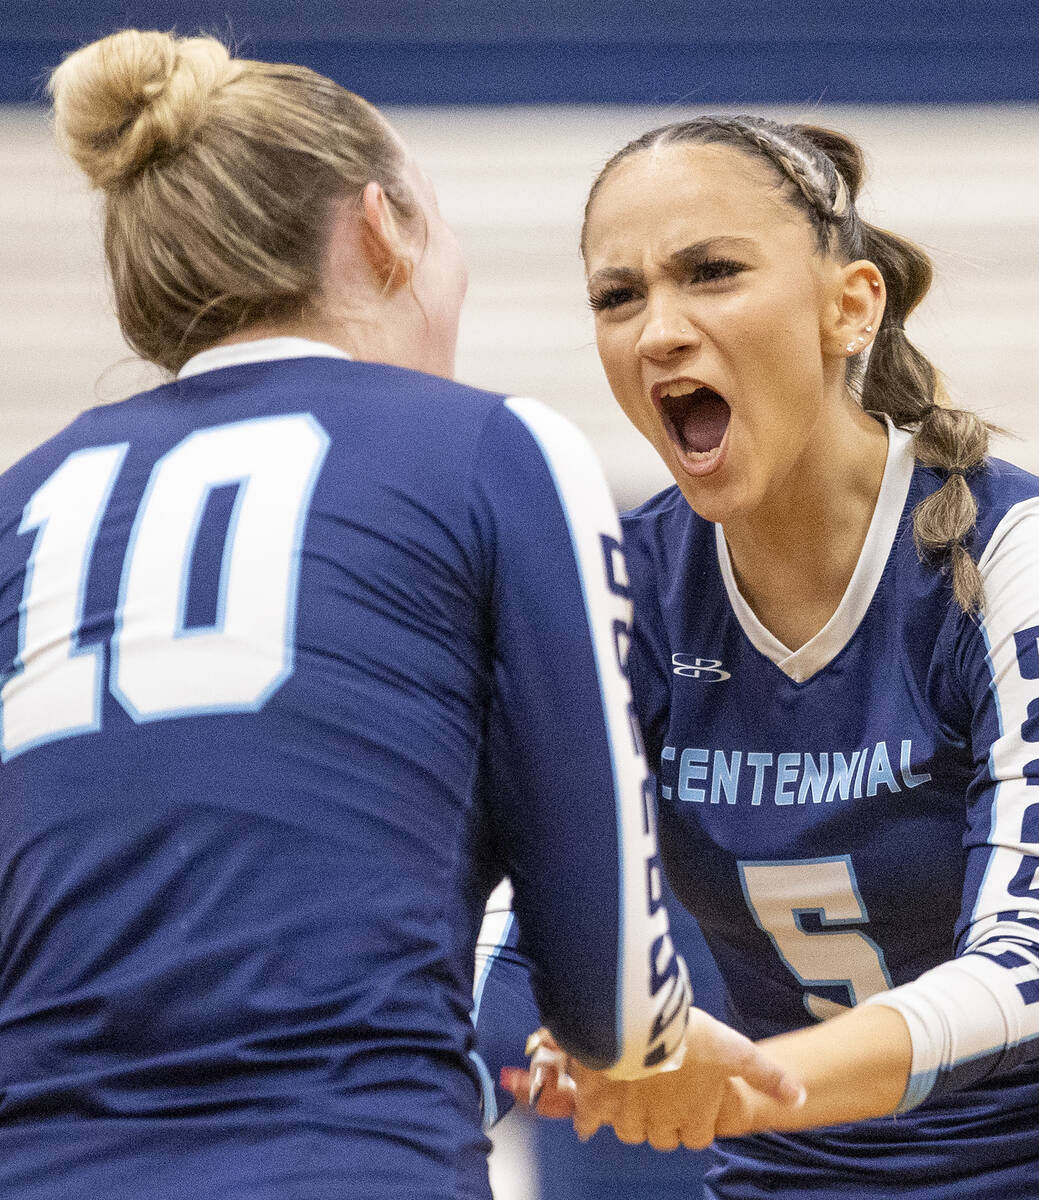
{"points": [[668, 197]]}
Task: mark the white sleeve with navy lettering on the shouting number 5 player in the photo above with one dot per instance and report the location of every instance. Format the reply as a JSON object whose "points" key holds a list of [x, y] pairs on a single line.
{"points": [[978, 1015]]}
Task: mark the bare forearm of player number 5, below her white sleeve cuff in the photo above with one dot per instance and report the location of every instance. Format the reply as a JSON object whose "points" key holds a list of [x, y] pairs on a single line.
{"points": [[855, 1066]]}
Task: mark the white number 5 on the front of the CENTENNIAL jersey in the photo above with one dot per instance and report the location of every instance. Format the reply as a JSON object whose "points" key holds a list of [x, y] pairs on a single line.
{"points": [[784, 898]]}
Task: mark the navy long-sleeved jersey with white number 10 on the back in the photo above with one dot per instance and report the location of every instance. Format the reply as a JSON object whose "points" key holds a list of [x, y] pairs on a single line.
{"points": [[299, 657]]}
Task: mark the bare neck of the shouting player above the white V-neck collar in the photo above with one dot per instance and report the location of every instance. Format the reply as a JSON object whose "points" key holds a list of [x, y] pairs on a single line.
{"points": [[795, 556]]}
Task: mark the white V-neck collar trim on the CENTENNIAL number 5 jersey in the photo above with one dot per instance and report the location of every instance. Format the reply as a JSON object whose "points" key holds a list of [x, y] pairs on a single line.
{"points": [[836, 635]]}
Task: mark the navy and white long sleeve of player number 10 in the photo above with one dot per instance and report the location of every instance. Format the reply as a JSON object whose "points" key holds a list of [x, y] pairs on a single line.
{"points": [[572, 800]]}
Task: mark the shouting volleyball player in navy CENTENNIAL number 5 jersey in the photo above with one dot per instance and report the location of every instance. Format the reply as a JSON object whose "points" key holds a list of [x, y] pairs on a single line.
{"points": [[837, 669]]}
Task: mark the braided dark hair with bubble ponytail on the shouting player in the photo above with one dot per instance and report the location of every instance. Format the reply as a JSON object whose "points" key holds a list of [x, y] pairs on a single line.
{"points": [[825, 171]]}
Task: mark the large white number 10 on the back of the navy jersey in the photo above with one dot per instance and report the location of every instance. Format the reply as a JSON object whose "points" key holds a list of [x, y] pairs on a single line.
{"points": [[160, 668]]}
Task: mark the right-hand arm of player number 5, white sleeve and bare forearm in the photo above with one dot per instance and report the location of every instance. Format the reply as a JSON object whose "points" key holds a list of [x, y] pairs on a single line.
{"points": [[977, 1015]]}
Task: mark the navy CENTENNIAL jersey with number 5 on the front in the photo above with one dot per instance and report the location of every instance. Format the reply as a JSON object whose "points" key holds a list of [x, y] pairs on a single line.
{"points": [[856, 820]]}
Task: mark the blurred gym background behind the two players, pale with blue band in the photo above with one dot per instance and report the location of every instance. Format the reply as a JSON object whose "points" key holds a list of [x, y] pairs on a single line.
{"points": [[513, 110]]}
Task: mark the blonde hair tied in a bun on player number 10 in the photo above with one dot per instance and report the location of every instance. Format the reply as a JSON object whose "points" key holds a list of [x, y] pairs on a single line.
{"points": [[219, 176]]}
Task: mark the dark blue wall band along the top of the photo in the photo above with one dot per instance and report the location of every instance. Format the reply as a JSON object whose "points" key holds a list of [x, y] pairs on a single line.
{"points": [[584, 51]]}
